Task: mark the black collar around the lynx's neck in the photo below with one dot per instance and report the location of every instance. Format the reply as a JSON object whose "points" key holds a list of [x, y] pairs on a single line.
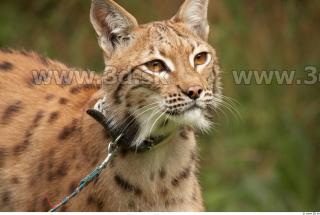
{"points": [[124, 142]]}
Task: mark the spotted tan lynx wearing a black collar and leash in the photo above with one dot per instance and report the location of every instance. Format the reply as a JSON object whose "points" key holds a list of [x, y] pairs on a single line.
{"points": [[160, 86]]}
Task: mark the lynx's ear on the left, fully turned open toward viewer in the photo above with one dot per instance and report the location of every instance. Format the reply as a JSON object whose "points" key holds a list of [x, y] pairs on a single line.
{"points": [[112, 23]]}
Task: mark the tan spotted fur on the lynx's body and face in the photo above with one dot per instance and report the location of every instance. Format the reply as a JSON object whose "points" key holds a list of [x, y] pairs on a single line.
{"points": [[48, 142]]}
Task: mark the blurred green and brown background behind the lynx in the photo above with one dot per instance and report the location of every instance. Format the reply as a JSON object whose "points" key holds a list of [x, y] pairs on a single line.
{"points": [[265, 160]]}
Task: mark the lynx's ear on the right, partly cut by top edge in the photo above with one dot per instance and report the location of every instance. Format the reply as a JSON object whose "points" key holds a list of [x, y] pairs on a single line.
{"points": [[194, 13]]}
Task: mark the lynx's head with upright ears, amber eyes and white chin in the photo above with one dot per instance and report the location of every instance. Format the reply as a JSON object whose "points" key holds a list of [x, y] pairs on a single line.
{"points": [[158, 72]]}
